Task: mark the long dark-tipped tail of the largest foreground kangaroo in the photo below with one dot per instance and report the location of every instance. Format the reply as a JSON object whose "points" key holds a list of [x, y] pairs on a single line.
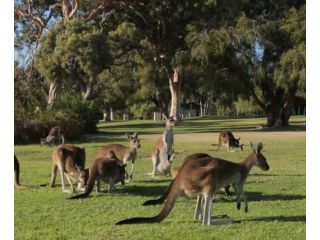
{"points": [[171, 199]]}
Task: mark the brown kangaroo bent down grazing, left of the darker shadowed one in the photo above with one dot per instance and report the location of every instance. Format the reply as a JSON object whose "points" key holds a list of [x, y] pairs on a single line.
{"points": [[71, 163]]}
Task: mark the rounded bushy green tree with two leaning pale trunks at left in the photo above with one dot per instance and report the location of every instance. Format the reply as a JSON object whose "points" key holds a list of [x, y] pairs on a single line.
{"points": [[72, 54]]}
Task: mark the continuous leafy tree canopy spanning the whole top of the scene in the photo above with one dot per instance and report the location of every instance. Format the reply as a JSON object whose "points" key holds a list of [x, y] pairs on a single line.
{"points": [[118, 53]]}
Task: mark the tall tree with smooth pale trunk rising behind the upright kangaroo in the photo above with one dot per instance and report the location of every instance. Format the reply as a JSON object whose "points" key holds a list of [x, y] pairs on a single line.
{"points": [[162, 49]]}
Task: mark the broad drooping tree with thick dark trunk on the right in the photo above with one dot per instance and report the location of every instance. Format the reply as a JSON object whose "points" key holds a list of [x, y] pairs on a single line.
{"points": [[257, 53]]}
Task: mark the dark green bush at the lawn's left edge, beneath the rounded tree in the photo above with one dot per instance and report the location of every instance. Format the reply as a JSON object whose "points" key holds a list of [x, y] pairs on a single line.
{"points": [[73, 116]]}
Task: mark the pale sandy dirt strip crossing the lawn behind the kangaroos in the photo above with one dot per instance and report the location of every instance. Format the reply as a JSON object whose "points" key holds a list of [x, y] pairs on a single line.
{"points": [[247, 136]]}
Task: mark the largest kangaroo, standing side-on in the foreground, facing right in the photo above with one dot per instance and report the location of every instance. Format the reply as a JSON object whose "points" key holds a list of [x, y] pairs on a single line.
{"points": [[201, 174]]}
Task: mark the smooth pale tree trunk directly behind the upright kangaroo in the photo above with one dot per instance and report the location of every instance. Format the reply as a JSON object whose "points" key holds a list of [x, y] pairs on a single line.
{"points": [[175, 90]]}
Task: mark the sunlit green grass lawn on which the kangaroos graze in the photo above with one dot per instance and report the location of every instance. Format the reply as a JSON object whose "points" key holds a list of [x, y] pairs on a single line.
{"points": [[277, 198]]}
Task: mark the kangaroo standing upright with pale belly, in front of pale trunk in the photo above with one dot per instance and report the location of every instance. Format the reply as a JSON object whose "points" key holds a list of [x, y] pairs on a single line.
{"points": [[162, 153]]}
